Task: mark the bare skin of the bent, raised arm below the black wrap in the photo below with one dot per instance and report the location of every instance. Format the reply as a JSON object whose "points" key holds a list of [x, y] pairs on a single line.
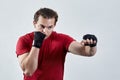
{"points": [[29, 61]]}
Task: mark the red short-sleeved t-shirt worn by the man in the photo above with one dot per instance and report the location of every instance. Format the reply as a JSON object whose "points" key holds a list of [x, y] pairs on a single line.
{"points": [[51, 57]]}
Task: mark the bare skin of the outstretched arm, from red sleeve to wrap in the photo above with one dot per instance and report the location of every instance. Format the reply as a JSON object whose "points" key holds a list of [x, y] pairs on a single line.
{"points": [[79, 49]]}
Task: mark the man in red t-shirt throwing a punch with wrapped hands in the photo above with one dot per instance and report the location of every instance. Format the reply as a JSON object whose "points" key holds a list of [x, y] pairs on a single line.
{"points": [[41, 53]]}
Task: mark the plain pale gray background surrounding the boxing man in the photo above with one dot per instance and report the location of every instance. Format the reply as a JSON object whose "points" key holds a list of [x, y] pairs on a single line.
{"points": [[76, 18]]}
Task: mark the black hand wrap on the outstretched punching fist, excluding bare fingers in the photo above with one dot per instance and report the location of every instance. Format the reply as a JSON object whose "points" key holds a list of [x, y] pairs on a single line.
{"points": [[90, 36]]}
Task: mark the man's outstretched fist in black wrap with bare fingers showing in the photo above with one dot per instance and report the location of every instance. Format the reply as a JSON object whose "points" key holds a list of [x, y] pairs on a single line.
{"points": [[91, 40]]}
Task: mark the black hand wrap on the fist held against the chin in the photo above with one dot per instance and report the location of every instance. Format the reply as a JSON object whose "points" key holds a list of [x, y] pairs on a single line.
{"points": [[38, 39]]}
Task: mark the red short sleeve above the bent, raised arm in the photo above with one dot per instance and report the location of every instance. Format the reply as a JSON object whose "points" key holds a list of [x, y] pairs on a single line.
{"points": [[22, 46]]}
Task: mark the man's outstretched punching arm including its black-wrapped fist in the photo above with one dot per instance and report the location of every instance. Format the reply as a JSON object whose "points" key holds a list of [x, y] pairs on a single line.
{"points": [[87, 47]]}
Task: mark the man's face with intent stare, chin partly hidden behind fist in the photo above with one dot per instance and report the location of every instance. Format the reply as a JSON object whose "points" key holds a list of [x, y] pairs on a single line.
{"points": [[45, 25]]}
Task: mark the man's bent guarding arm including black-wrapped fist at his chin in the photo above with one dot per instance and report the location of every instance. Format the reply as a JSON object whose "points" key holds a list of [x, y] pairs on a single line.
{"points": [[29, 61]]}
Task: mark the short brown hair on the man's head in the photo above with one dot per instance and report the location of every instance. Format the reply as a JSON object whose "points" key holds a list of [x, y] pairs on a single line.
{"points": [[46, 13]]}
